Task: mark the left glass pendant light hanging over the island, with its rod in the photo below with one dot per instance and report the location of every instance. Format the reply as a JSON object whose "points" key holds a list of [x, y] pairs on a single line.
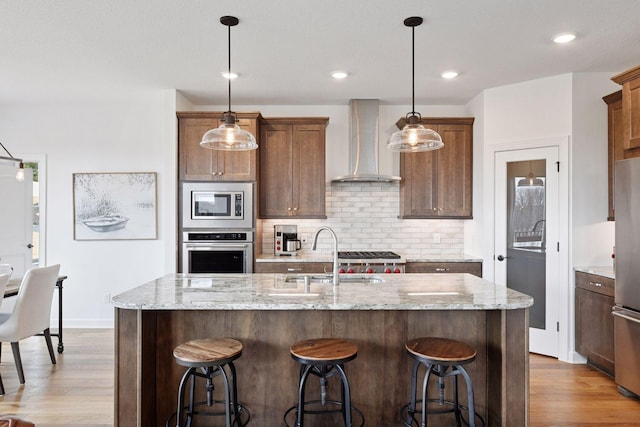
{"points": [[229, 136]]}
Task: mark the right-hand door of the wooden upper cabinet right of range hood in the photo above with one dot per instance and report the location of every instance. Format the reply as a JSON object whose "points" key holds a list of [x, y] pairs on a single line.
{"points": [[453, 171]]}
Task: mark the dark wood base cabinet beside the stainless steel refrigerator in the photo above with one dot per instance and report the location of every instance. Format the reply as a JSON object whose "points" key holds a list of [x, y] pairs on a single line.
{"points": [[594, 322]]}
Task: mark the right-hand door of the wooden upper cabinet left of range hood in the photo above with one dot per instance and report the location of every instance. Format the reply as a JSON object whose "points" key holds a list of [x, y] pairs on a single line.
{"points": [[308, 171]]}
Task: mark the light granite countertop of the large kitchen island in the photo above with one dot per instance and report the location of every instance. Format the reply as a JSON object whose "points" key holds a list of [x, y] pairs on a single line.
{"points": [[272, 292]]}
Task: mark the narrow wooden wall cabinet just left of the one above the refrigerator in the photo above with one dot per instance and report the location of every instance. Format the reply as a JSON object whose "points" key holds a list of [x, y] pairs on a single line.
{"points": [[615, 142]]}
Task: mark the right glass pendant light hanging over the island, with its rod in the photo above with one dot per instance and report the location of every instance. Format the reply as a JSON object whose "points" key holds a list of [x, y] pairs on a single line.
{"points": [[414, 137]]}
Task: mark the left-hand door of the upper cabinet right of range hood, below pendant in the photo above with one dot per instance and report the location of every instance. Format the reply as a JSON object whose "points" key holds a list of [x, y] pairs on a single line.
{"points": [[417, 197]]}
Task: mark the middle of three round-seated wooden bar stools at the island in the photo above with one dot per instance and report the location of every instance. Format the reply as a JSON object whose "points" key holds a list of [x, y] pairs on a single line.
{"points": [[324, 357]]}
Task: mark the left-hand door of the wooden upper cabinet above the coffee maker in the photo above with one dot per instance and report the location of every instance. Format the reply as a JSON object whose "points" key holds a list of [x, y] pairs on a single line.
{"points": [[276, 181]]}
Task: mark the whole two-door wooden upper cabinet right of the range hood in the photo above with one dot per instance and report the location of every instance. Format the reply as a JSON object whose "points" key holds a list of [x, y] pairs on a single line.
{"points": [[438, 184]]}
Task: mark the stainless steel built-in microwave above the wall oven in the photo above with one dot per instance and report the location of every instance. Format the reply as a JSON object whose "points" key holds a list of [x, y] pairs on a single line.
{"points": [[227, 205]]}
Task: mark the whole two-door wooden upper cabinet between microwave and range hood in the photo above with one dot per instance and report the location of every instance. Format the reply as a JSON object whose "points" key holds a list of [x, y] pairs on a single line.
{"points": [[292, 168]]}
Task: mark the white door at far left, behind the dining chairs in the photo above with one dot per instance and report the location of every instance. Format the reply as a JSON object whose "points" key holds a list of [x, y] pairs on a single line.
{"points": [[16, 219]]}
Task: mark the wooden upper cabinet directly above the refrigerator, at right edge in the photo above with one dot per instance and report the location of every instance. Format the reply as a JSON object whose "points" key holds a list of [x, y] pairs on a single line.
{"points": [[630, 81]]}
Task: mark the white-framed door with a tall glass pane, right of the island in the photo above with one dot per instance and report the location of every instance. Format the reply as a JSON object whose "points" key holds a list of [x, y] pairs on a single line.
{"points": [[527, 238]]}
